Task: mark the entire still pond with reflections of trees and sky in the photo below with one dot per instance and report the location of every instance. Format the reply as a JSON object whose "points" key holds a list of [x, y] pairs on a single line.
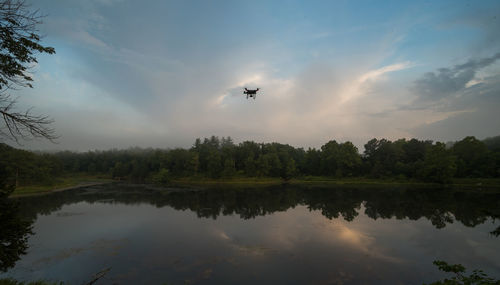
{"points": [[277, 235]]}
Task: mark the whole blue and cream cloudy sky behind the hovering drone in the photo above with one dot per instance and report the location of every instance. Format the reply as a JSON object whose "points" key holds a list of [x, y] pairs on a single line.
{"points": [[163, 73]]}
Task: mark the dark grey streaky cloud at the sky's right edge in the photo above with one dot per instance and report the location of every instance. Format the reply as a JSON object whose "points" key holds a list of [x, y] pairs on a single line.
{"points": [[433, 86]]}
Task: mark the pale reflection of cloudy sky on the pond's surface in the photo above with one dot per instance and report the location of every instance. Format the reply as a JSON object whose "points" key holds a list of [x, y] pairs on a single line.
{"points": [[145, 244]]}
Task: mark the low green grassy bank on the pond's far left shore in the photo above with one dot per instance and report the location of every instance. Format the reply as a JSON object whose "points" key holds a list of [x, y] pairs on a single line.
{"points": [[60, 184]]}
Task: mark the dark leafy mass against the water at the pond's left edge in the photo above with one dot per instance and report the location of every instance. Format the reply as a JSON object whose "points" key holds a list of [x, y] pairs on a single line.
{"points": [[14, 233]]}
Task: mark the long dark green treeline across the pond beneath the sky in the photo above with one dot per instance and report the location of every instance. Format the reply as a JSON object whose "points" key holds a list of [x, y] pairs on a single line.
{"points": [[221, 158]]}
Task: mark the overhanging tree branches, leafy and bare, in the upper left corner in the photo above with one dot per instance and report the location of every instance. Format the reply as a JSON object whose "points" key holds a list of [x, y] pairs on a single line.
{"points": [[19, 41]]}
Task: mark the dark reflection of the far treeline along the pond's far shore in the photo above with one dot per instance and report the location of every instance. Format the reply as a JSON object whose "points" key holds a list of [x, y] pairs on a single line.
{"points": [[439, 206]]}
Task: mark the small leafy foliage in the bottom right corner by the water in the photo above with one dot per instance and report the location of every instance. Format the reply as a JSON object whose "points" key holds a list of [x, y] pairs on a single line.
{"points": [[476, 277]]}
